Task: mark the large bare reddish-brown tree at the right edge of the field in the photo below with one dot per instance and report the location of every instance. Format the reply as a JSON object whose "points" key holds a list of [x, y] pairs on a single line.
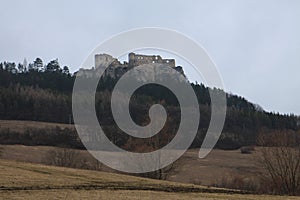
{"points": [[280, 157]]}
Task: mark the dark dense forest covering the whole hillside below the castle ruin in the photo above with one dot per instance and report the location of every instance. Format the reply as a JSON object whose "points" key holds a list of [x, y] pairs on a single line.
{"points": [[41, 92]]}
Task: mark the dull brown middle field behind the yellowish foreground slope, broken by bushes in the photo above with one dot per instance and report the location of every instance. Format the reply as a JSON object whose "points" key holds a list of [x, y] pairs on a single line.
{"points": [[189, 168]]}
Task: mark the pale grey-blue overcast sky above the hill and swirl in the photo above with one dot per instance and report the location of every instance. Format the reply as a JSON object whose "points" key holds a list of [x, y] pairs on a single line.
{"points": [[255, 44]]}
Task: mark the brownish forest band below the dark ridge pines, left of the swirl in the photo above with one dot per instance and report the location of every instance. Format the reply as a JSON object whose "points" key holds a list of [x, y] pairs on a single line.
{"points": [[33, 103]]}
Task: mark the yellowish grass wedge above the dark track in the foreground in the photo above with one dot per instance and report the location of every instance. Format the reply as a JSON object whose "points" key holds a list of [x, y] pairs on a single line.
{"points": [[27, 176]]}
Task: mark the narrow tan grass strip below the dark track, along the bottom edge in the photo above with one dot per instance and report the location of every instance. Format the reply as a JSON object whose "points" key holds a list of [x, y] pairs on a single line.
{"points": [[129, 195]]}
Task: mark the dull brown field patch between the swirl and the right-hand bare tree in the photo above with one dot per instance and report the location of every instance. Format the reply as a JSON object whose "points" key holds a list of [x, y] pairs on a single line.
{"points": [[217, 165]]}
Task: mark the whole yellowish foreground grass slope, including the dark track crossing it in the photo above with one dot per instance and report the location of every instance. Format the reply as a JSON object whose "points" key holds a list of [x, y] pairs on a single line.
{"points": [[33, 181]]}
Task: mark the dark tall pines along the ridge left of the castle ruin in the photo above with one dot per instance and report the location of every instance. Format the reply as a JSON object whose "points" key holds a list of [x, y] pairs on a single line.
{"points": [[50, 76]]}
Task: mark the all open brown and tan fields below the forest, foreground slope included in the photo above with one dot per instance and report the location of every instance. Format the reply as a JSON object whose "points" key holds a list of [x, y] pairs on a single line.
{"points": [[190, 178]]}
